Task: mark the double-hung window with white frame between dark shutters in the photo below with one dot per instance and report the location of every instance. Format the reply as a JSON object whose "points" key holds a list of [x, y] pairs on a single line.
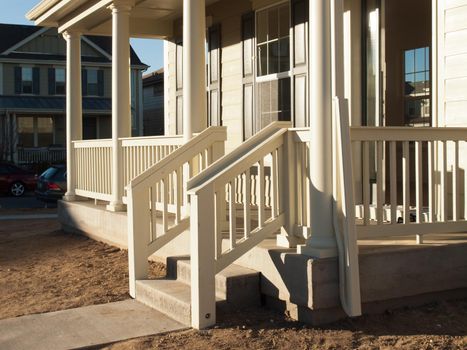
{"points": [[273, 65]]}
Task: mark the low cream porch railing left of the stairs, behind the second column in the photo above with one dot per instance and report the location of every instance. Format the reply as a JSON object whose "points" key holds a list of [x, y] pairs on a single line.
{"points": [[93, 159]]}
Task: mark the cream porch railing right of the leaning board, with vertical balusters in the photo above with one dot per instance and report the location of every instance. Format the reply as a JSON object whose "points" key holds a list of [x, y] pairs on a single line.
{"points": [[417, 186]]}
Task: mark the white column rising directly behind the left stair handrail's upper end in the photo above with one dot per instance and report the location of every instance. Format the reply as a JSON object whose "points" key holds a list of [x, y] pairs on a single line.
{"points": [[194, 66]]}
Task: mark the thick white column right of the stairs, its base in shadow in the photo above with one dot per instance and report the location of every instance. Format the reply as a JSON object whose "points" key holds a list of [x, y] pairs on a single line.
{"points": [[322, 242]]}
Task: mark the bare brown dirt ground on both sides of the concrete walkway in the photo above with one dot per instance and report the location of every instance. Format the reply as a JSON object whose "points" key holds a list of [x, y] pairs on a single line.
{"points": [[43, 269]]}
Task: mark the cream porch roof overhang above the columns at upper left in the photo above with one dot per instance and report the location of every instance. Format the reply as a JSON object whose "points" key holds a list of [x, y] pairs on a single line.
{"points": [[148, 19]]}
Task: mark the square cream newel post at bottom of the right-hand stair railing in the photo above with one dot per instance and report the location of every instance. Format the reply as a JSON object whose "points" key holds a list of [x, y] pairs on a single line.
{"points": [[203, 267]]}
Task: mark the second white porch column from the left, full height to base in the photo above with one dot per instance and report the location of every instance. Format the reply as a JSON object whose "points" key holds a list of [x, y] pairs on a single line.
{"points": [[121, 95]]}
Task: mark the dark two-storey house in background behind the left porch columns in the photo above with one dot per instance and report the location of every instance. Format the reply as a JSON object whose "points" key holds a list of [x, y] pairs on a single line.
{"points": [[33, 89]]}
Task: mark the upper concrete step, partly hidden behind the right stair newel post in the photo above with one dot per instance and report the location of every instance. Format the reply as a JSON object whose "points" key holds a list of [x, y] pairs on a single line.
{"points": [[236, 285]]}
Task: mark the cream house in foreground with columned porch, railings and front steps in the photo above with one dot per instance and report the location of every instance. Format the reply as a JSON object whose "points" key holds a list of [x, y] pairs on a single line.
{"points": [[259, 165]]}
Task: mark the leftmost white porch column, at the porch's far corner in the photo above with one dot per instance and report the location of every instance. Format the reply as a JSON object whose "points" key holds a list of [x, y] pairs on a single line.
{"points": [[74, 114]]}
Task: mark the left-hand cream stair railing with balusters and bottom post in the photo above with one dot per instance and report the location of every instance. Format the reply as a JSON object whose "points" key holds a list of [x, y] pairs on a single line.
{"points": [[157, 199]]}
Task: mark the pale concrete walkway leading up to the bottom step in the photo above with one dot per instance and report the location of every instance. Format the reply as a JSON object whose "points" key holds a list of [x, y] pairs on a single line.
{"points": [[84, 327]]}
